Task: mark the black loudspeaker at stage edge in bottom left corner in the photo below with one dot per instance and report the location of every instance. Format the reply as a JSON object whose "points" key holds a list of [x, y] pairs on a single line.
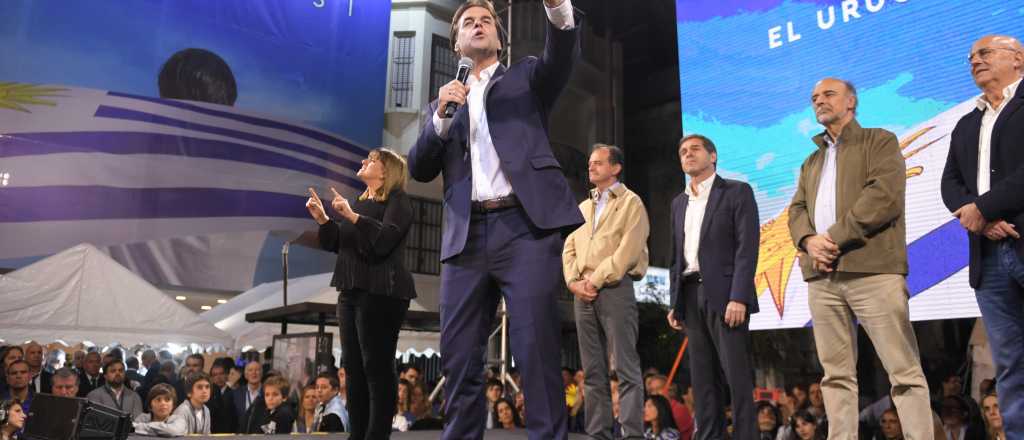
{"points": [[55, 418]]}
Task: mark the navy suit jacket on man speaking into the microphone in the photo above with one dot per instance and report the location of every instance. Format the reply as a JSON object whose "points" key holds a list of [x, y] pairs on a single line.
{"points": [[519, 101]]}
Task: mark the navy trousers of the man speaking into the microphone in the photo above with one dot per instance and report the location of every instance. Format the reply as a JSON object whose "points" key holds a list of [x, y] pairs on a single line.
{"points": [[505, 256]]}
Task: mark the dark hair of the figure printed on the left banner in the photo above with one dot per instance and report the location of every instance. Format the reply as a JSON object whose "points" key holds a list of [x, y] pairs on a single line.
{"points": [[198, 75]]}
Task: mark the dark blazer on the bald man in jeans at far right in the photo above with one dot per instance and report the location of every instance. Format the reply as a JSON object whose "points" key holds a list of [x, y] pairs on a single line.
{"points": [[1006, 197]]}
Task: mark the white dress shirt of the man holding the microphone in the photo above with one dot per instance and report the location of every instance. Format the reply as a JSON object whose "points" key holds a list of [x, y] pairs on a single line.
{"points": [[489, 180]]}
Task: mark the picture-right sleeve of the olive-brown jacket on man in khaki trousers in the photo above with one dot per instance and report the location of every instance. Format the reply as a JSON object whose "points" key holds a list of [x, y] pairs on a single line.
{"points": [[880, 202]]}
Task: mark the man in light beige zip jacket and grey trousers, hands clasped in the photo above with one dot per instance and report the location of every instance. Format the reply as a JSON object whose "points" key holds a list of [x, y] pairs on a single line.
{"points": [[601, 261]]}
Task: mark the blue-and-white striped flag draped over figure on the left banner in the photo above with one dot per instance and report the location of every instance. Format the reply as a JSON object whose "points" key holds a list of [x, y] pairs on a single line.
{"points": [[83, 165]]}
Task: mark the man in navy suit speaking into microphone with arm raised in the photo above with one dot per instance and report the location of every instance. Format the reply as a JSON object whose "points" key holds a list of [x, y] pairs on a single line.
{"points": [[507, 206]]}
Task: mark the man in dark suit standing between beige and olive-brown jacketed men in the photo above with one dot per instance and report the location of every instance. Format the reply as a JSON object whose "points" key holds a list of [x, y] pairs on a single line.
{"points": [[715, 240]]}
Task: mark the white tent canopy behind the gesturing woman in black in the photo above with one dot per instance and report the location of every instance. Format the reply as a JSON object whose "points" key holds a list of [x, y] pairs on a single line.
{"points": [[231, 317]]}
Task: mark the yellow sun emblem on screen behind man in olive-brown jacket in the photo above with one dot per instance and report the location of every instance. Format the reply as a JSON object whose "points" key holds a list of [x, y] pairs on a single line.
{"points": [[778, 255]]}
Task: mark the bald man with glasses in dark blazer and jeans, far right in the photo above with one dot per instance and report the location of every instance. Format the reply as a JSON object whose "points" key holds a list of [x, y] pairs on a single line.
{"points": [[984, 186]]}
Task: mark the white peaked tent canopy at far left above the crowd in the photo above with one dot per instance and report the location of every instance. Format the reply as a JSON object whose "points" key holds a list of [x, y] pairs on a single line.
{"points": [[82, 295]]}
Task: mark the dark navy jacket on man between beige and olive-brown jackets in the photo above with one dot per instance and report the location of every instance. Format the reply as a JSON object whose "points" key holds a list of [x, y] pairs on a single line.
{"points": [[731, 235]]}
